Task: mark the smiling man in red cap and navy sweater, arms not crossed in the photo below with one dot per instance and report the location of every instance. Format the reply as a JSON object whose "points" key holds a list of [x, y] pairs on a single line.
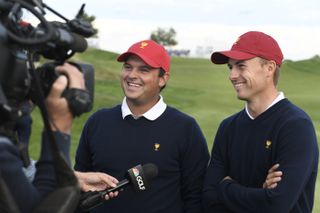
{"points": [[141, 130]]}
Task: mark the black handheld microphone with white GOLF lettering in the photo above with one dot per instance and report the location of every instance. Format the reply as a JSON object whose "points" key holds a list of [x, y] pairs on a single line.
{"points": [[138, 177]]}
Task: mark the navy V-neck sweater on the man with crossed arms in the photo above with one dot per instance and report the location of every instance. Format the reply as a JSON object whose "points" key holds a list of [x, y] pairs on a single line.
{"points": [[246, 149]]}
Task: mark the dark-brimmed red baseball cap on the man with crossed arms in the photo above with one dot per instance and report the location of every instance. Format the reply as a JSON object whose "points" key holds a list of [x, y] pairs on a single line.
{"points": [[249, 45]]}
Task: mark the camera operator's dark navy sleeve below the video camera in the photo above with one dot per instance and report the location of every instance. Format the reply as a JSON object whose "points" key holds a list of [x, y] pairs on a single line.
{"points": [[29, 195]]}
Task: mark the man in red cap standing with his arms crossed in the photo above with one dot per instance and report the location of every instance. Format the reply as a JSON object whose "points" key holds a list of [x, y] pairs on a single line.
{"points": [[265, 157]]}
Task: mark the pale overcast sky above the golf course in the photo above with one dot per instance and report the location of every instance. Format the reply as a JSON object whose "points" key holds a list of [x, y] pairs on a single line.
{"points": [[203, 25]]}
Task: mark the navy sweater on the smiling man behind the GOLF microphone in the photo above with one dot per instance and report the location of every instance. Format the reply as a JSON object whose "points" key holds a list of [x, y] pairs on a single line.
{"points": [[113, 145]]}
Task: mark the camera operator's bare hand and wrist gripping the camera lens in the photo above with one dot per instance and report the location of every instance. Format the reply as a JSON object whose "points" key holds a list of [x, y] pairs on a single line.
{"points": [[60, 115]]}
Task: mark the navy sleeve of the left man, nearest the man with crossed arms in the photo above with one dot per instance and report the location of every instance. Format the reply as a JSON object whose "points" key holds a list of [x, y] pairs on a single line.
{"points": [[193, 166]]}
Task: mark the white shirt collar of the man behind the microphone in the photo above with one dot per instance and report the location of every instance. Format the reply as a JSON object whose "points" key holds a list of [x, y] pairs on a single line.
{"points": [[152, 114]]}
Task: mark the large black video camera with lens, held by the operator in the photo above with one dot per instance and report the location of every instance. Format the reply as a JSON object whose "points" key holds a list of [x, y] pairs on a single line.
{"points": [[21, 45]]}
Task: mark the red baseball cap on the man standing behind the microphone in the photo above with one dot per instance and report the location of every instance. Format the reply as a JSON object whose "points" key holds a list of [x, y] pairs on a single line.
{"points": [[152, 53]]}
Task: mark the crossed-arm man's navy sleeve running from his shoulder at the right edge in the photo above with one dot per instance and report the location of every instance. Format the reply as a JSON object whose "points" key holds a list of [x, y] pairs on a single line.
{"points": [[298, 159]]}
